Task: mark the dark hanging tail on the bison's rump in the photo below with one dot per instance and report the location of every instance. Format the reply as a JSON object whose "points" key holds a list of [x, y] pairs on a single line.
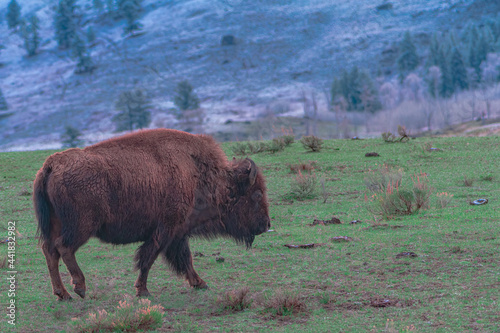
{"points": [[42, 203]]}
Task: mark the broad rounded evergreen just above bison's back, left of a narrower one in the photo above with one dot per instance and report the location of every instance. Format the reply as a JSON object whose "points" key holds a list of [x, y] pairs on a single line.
{"points": [[134, 107]]}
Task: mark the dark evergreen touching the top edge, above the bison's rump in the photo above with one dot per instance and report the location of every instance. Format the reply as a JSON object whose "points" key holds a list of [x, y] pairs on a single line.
{"points": [[66, 23]]}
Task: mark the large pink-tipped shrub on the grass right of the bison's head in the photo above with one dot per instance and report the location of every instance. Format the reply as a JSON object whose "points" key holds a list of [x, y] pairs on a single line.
{"points": [[395, 200]]}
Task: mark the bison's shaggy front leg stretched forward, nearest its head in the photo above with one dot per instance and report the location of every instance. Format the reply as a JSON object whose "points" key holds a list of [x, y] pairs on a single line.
{"points": [[178, 255]]}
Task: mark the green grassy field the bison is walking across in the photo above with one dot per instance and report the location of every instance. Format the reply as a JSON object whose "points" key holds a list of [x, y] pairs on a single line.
{"points": [[452, 285]]}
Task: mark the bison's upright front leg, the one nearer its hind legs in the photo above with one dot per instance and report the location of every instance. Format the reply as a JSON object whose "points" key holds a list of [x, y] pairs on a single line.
{"points": [[145, 257]]}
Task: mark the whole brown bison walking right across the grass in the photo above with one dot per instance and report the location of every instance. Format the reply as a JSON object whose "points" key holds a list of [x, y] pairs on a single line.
{"points": [[159, 187]]}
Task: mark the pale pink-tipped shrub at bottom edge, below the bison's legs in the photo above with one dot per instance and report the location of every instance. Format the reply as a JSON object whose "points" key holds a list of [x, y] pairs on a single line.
{"points": [[130, 316]]}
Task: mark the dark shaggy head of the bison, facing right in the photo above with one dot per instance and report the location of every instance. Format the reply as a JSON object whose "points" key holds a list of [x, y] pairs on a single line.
{"points": [[249, 211]]}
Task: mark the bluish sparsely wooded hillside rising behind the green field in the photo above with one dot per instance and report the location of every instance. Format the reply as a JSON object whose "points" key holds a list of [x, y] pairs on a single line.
{"points": [[281, 50]]}
